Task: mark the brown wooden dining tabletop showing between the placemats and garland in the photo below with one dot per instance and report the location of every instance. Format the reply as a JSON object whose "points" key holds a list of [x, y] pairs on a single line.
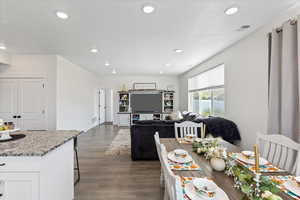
{"points": [[225, 182]]}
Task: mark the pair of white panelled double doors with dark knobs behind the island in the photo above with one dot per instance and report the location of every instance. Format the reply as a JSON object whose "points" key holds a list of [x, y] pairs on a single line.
{"points": [[22, 101]]}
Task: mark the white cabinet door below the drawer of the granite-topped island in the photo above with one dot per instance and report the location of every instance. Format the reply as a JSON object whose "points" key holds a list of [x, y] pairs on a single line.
{"points": [[17, 186]]}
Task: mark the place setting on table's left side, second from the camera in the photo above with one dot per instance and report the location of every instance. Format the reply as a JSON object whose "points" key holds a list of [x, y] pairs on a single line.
{"points": [[180, 159]]}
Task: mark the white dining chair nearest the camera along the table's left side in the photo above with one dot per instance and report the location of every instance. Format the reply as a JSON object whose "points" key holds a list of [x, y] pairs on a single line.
{"points": [[173, 188]]}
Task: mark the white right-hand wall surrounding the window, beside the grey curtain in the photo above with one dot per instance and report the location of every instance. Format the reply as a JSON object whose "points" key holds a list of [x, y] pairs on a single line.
{"points": [[246, 80]]}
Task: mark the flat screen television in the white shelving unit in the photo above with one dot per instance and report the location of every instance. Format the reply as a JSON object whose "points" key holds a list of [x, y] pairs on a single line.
{"points": [[146, 103]]}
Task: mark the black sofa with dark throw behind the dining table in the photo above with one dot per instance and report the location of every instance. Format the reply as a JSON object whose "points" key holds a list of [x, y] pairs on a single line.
{"points": [[142, 133]]}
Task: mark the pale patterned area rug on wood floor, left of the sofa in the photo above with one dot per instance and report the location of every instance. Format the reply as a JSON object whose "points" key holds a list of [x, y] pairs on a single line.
{"points": [[121, 144]]}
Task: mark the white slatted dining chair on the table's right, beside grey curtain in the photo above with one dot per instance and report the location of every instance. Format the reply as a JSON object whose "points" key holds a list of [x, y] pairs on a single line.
{"points": [[281, 151]]}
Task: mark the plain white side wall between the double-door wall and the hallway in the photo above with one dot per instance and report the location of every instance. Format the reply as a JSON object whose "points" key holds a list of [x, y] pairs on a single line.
{"points": [[76, 96]]}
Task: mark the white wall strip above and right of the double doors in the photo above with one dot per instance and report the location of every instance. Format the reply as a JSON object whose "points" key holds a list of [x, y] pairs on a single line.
{"points": [[36, 66]]}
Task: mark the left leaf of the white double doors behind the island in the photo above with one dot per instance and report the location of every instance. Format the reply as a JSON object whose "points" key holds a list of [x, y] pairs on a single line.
{"points": [[9, 100]]}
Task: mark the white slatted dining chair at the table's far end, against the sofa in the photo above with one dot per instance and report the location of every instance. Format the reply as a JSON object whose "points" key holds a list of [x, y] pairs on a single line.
{"points": [[188, 128]]}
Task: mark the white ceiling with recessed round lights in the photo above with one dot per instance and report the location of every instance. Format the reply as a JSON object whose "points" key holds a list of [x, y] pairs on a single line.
{"points": [[134, 43]]}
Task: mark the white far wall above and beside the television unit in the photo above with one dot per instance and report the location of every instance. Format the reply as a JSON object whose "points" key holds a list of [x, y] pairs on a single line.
{"points": [[115, 82]]}
